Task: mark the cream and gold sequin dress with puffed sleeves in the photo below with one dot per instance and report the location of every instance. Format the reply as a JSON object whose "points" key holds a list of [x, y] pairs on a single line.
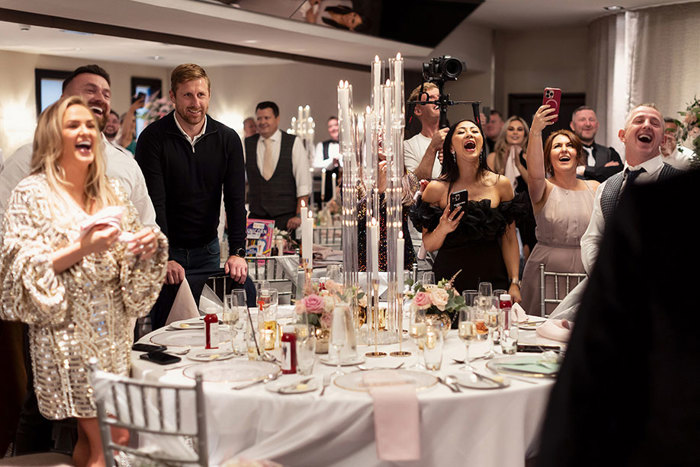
{"points": [[77, 314]]}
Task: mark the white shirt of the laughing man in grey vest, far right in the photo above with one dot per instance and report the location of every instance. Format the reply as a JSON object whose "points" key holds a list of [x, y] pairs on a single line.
{"points": [[590, 242]]}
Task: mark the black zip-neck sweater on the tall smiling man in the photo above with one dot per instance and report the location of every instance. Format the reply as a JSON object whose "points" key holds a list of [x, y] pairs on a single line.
{"points": [[185, 183]]}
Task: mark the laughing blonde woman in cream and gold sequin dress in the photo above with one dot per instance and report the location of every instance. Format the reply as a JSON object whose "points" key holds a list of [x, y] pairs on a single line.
{"points": [[76, 293]]}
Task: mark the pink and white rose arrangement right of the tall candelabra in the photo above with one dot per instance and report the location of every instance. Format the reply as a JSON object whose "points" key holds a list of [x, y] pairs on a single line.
{"points": [[439, 299]]}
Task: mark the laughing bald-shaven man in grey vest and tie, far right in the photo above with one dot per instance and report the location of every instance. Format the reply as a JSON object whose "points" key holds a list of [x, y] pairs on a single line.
{"points": [[642, 136]]}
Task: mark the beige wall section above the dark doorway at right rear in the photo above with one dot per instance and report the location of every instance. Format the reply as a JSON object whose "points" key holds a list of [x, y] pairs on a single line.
{"points": [[528, 61]]}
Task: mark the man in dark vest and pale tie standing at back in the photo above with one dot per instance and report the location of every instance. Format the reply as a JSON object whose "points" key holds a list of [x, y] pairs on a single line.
{"points": [[278, 171]]}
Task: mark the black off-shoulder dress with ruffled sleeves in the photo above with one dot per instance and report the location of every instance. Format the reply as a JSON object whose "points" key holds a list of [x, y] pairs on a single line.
{"points": [[475, 246]]}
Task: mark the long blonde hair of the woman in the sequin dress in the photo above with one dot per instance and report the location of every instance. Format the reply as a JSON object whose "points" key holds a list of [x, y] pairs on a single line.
{"points": [[48, 151]]}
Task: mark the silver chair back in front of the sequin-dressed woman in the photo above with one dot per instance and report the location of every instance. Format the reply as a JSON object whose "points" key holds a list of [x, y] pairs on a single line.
{"points": [[168, 420]]}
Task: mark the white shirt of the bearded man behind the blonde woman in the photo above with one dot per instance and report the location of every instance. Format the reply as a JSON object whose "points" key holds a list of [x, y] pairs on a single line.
{"points": [[120, 165]]}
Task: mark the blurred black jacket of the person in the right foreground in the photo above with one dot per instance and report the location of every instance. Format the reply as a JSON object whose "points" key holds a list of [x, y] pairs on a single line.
{"points": [[629, 388]]}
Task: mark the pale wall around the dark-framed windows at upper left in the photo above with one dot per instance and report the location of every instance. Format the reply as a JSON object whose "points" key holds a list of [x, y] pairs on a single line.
{"points": [[17, 96]]}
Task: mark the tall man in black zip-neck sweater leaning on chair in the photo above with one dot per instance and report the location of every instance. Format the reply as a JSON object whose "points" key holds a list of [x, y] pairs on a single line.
{"points": [[187, 159]]}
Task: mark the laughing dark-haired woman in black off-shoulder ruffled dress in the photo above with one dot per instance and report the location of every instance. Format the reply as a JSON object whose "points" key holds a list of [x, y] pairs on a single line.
{"points": [[479, 240]]}
